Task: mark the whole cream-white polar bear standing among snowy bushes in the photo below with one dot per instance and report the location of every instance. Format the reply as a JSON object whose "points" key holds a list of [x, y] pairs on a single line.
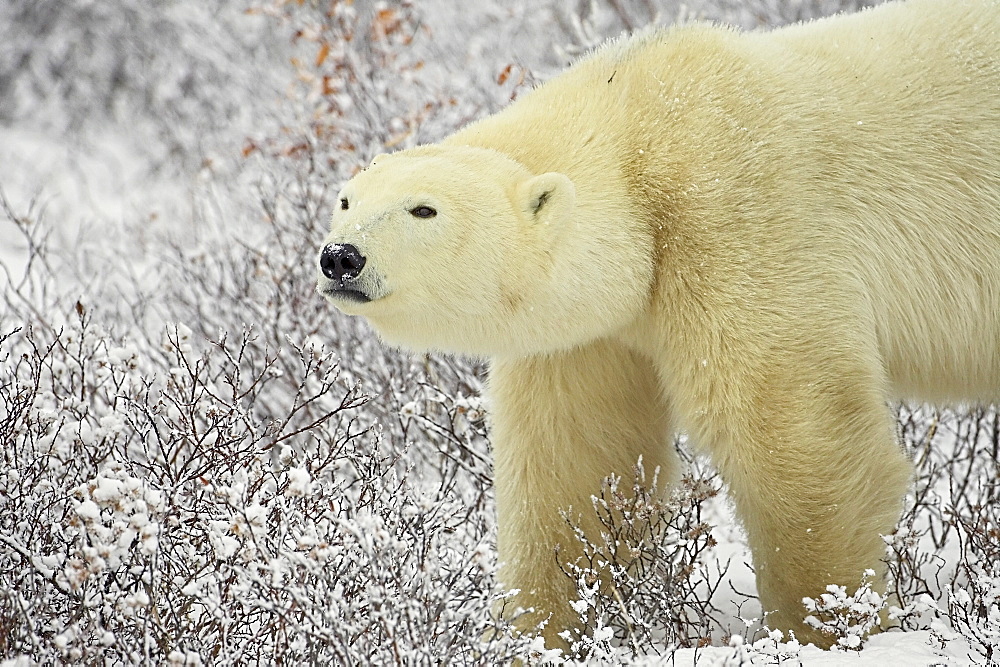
{"points": [[760, 239]]}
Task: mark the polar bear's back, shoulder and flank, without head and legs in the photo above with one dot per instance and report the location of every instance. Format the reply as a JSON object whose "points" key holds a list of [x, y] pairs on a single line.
{"points": [[849, 165]]}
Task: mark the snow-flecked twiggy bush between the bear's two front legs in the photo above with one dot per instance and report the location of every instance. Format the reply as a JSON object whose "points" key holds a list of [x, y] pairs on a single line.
{"points": [[647, 582]]}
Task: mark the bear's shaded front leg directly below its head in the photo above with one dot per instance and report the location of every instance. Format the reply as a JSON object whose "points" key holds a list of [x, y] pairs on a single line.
{"points": [[561, 423]]}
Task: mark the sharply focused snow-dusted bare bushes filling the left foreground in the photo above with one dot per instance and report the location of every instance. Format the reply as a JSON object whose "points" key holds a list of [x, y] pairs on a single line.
{"points": [[149, 516]]}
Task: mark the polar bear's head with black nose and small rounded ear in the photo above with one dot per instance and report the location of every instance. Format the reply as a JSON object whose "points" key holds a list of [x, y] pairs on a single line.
{"points": [[464, 250]]}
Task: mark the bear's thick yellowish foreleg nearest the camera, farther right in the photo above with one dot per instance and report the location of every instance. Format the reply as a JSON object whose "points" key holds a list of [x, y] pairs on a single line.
{"points": [[817, 477]]}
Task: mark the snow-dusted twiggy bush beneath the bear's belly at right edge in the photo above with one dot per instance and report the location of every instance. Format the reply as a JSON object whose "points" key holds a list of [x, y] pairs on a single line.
{"points": [[942, 558]]}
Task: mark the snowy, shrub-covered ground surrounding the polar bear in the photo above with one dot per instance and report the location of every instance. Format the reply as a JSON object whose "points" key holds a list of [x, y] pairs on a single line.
{"points": [[176, 161]]}
